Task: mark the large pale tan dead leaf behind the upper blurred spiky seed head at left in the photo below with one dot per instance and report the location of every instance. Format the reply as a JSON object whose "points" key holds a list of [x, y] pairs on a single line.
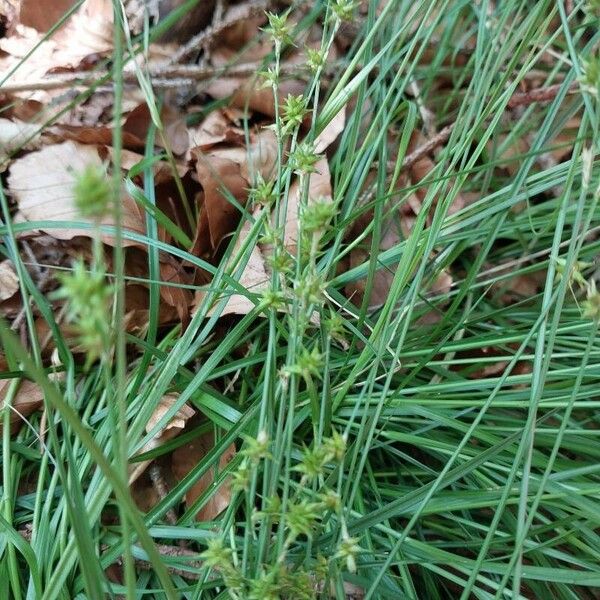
{"points": [[42, 184]]}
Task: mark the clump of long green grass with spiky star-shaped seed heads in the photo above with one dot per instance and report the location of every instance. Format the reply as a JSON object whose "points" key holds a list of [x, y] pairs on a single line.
{"points": [[443, 444]]}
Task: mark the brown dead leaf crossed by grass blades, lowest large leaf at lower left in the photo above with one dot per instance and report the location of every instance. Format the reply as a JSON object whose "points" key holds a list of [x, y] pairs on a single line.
{"points": [[186, 458]]}
